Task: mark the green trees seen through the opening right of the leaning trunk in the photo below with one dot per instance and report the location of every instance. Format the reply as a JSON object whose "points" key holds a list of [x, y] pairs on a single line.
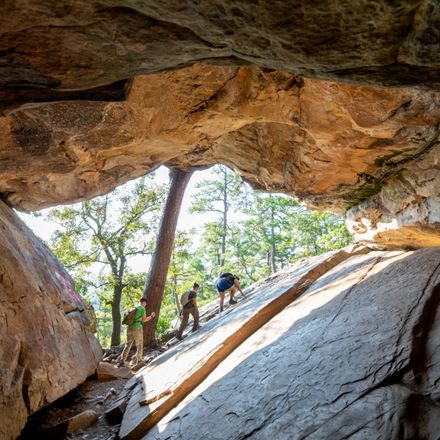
{"points": [[268, 231]]}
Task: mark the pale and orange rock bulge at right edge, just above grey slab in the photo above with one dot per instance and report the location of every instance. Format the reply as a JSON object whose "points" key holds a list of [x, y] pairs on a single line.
{"points": [[406, 211]]}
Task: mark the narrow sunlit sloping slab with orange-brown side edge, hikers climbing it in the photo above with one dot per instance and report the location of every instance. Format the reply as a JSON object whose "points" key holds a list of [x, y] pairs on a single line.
{"points": [[169, 377]]}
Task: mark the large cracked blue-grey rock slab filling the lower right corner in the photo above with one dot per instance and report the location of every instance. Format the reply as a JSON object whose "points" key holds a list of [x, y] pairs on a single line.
{"points": [[355, 357]]}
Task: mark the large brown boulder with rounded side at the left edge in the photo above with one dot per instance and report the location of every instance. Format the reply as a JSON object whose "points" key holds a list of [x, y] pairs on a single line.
{"points": [[45, 349]]}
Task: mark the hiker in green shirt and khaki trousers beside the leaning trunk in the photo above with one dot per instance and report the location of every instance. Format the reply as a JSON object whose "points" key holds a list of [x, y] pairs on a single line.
{"points": [[135, 333]]}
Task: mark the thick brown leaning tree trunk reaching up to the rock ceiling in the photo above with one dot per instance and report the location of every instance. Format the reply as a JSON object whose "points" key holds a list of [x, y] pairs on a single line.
{"points": [[155, 283]]}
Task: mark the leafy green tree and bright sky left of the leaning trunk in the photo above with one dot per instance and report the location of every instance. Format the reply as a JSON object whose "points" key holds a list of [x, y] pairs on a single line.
{"points": [[97, 237]]}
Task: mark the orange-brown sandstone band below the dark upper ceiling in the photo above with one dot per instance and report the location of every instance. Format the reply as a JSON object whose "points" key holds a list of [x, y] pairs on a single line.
{"points": [[333, 145]]}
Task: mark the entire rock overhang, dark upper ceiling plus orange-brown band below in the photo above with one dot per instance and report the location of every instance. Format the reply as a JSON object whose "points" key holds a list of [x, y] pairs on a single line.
{"points": [[335, 144]]}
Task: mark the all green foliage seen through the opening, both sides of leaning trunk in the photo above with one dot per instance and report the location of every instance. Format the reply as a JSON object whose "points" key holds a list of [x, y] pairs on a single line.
{"points": [[250, 233]]}
